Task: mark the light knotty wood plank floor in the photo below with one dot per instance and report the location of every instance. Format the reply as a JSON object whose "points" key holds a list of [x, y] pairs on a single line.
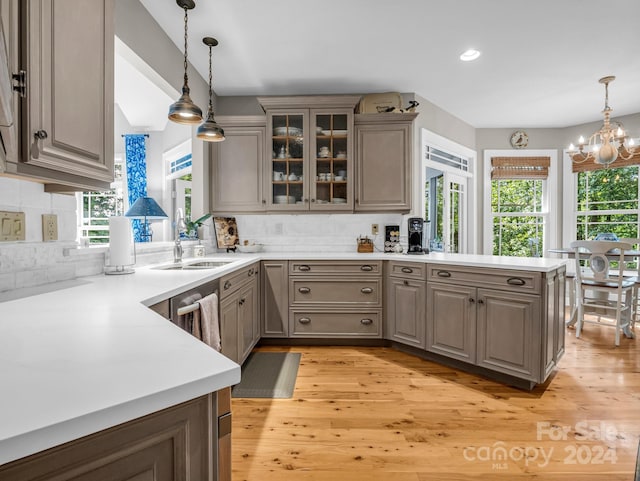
{"points": [[377, 414]]}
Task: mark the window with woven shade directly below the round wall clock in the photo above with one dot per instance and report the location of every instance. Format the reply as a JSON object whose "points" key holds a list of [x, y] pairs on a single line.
{"points": [[520, 188]]}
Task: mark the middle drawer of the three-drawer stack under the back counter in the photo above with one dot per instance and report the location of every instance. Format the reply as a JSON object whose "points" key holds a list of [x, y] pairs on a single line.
{"points": [[331, 291]]}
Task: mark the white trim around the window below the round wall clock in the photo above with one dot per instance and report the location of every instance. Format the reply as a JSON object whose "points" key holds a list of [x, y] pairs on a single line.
{"points": [[549, 196]]}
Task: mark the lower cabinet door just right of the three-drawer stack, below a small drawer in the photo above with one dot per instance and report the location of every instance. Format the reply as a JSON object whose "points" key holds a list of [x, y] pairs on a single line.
{"points": [[405, 312]]}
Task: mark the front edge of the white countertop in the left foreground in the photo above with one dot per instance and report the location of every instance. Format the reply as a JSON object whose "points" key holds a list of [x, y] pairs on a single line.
{"points": [[54, 435]]}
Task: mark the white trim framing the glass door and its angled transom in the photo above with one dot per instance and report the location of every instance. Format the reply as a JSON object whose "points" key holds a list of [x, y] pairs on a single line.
{"points": [[434, 140]]}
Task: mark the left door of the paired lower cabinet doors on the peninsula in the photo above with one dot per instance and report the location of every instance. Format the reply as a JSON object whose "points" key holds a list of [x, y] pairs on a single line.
{"points": [[451, 321]]}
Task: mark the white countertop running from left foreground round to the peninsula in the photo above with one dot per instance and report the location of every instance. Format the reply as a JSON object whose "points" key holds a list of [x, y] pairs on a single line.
{"points": [[80, 356]]}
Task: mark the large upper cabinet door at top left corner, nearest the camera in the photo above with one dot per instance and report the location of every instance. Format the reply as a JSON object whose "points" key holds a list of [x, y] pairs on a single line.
{"points": [[67, 115]]}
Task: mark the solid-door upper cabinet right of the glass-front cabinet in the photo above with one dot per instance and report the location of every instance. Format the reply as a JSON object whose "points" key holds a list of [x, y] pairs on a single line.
{"points": [[383, 162]]}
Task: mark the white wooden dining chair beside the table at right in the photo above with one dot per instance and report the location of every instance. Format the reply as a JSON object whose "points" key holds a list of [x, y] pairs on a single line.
{"points": [[602, 289]]}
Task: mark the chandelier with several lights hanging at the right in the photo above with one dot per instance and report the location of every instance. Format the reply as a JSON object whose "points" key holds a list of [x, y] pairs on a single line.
{"points": [[600, 147]]}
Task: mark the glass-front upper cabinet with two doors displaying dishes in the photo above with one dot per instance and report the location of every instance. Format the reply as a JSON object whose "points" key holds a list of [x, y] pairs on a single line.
{"points": [[310, 160]]}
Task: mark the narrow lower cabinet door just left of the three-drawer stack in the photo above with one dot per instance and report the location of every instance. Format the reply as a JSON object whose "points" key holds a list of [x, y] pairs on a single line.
{"points": [[275, 299]]}
